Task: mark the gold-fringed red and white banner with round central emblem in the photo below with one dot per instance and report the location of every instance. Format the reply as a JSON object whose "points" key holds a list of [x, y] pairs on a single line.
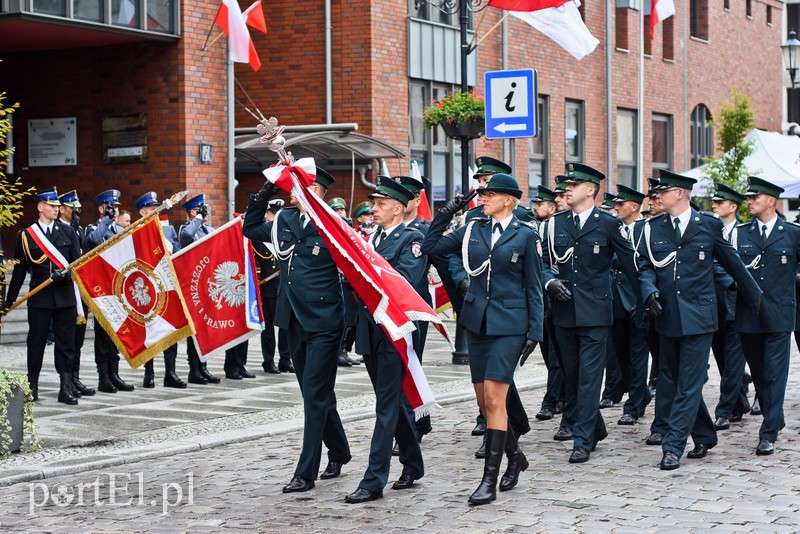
{"points": [[131, 288]]}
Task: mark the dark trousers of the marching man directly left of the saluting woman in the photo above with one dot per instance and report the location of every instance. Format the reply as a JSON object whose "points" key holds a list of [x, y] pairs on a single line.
{"points": [[385, 370]]}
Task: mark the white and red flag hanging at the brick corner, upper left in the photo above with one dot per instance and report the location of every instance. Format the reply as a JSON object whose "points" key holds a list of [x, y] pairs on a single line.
{"points": [[234, 24]]}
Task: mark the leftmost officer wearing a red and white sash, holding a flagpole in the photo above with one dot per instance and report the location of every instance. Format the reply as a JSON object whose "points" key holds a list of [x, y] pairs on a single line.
{"points": [[37, 246]]}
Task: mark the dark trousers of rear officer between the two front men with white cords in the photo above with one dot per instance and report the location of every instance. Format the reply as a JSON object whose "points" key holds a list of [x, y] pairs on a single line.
{"points": [[630, 346]]}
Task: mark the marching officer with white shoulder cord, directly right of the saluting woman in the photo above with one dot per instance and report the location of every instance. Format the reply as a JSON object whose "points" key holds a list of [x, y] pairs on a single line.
{"points": [[579, 248]]}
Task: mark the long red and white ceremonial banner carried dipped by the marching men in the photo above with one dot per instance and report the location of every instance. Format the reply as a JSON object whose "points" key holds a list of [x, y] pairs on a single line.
{"points": [[387, 295]]}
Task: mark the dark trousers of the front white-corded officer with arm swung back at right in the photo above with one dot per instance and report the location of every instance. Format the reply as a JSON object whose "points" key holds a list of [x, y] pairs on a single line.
{"points": [[683, 363]]}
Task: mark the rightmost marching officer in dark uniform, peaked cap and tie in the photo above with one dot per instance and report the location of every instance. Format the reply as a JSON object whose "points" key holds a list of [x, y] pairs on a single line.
{"points": [[770, 248]]}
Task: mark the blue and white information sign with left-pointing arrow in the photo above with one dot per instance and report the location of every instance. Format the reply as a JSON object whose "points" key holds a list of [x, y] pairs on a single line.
{"points": [[511, 103]]}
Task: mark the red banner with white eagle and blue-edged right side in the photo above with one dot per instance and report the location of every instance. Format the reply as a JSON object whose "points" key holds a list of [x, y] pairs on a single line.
{"points": [[217, 277]]}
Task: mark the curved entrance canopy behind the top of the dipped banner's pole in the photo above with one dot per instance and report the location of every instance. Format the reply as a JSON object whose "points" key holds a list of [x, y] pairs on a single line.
{"points": [[331, 148]]}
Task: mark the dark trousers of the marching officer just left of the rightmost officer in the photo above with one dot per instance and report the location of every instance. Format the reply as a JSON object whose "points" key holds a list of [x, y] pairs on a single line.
{"points": [[727, 348]]}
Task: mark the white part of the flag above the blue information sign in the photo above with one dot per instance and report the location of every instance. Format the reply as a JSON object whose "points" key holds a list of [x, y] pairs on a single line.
{"points": [[563, 25]]}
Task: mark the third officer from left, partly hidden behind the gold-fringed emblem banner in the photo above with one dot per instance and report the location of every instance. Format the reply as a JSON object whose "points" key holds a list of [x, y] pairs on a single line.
{"points": [[106, 355]]}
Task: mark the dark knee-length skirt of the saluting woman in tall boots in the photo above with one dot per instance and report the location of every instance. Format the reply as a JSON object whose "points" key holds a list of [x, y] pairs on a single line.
{"points": [[493, 357]]}
